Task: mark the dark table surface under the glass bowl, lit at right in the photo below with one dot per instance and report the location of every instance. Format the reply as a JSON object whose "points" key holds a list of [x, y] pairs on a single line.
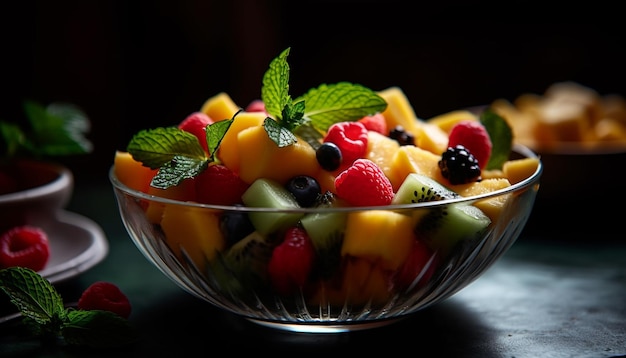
{"points": [[560, 294]]}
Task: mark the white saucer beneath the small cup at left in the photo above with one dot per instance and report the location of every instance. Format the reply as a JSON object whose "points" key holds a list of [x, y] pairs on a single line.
{"points": [[76, 245]]}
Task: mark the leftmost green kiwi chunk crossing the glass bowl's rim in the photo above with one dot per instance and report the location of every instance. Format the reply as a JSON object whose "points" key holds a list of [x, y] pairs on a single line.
{"points": [[268, 193]]}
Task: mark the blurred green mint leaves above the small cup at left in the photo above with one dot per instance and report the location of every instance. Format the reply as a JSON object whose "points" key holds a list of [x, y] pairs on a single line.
{"points": [[56, 130]]}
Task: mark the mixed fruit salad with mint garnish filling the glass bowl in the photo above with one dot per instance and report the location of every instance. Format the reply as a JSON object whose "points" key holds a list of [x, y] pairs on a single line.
{"points": [[333, 163]]}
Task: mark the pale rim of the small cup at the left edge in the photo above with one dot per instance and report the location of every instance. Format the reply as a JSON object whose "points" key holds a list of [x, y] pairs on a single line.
{"points": [[63, 179]]}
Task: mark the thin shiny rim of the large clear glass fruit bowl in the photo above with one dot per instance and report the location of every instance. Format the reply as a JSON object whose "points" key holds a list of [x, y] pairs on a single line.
{"points": [[516, 148]]}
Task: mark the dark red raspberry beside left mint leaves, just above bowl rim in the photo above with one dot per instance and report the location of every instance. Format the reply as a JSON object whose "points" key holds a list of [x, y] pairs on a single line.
{"points": [[218, 185]]}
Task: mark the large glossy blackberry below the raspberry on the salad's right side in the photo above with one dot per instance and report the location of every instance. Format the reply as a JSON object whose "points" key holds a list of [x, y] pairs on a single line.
{"points": [[459, 166]]}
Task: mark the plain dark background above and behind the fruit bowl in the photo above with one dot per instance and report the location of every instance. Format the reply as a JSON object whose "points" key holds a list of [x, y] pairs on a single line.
{"points": [[142, 64]]}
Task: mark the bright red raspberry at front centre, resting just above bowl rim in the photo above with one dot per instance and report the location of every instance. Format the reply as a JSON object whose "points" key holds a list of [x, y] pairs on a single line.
{"points": [[364, 184]]}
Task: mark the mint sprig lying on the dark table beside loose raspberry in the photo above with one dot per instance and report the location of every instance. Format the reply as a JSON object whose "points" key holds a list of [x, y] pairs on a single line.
{"points": [[45, 314]]}
